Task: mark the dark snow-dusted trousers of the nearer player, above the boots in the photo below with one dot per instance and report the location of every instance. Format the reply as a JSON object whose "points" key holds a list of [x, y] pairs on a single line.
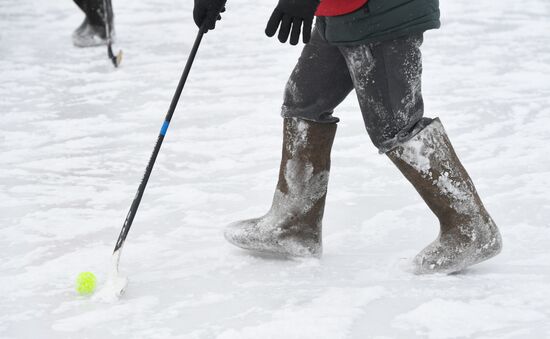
{"points": [[386, 77]]}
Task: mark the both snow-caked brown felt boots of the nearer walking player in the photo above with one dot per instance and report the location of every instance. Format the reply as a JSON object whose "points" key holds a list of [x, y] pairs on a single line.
{"points": [[293, 225]]}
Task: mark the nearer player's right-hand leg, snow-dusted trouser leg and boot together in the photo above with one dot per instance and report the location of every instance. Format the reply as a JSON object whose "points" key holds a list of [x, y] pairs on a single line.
{"points": [[387, 78]]}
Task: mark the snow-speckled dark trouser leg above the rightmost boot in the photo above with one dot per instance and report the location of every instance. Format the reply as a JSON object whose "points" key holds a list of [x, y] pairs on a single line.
{"points": [[387, 78]]}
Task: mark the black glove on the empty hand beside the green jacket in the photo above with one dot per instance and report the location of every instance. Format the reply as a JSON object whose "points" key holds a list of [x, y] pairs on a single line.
{"points": [[292, 15]]}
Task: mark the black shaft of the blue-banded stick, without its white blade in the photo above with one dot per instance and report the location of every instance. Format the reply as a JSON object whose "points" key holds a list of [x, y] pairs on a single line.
{"points": [[141, 189]]}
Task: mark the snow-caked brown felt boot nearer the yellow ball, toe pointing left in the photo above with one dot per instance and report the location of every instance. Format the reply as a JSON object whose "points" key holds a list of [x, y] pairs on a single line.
{"points": [[292, 226]]}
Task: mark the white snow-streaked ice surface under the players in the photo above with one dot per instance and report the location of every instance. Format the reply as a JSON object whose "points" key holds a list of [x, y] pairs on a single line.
{"points": [[75, 135]]}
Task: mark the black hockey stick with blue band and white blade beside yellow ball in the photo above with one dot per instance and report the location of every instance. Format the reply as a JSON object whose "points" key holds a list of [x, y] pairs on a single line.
{"points": [[115, 285]]}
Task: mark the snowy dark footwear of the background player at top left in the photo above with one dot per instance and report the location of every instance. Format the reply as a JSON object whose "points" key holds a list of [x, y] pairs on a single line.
{"points": [[97, 26]]}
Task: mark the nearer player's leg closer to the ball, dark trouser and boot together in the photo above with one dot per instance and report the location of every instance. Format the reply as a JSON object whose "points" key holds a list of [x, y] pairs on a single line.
{"points": [[292, 226]]}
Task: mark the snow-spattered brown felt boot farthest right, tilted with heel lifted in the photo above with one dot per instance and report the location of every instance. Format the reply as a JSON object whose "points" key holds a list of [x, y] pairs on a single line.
{"points": [[468, 235]]}
